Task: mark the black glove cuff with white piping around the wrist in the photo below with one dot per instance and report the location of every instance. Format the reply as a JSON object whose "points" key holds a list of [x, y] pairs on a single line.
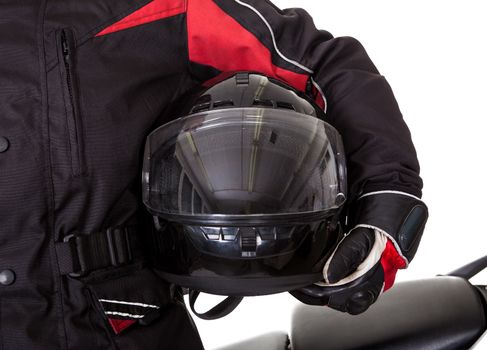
{"points": [[401, 216]]}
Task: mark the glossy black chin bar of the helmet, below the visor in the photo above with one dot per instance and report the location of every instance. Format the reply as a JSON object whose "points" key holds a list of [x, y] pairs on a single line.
{"points": [[268, 260]]}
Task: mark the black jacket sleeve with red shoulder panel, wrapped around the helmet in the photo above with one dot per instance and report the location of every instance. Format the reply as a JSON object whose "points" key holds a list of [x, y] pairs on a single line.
{"points": [[229, 35]]}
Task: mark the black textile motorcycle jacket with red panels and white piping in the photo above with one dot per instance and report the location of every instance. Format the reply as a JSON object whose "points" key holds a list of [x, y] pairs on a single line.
{"points": [[82, 83]]}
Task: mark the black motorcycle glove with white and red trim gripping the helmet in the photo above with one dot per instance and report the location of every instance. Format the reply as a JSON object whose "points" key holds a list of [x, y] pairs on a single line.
{"points": [[386, 233]]}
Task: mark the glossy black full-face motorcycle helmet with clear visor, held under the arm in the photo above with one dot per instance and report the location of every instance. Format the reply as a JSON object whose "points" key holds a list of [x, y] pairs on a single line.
{"points": [[245, 189]]}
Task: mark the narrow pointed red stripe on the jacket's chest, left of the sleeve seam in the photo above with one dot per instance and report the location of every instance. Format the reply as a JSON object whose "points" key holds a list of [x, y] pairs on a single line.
{"points": [[153, 11]]}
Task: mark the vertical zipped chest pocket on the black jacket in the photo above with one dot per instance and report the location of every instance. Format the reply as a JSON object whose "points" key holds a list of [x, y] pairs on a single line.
{"points": [[69, 80]]}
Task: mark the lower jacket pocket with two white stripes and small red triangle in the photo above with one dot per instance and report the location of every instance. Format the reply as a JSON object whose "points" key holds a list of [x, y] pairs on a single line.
{"points": [[141, 311]]}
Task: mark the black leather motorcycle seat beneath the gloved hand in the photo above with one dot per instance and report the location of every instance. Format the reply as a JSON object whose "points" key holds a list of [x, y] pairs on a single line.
{"points": [[437, 313]]}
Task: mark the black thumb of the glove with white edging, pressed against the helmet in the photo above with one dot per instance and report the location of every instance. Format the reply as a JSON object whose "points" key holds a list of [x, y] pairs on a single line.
{"points": [[350, 253]]}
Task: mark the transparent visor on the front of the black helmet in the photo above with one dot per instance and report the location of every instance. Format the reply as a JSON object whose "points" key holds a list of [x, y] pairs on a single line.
{"points": [[244, 165]]}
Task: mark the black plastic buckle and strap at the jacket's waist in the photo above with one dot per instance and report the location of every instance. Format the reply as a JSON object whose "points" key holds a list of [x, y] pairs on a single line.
{"points": [[79, 255]]}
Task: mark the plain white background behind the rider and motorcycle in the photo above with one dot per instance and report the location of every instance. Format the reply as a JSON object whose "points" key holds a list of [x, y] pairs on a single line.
{"points": [[434, 55]]}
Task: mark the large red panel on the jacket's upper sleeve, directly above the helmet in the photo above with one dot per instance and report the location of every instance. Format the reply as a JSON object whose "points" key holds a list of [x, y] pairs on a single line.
{"points": [[216, 39]]}
